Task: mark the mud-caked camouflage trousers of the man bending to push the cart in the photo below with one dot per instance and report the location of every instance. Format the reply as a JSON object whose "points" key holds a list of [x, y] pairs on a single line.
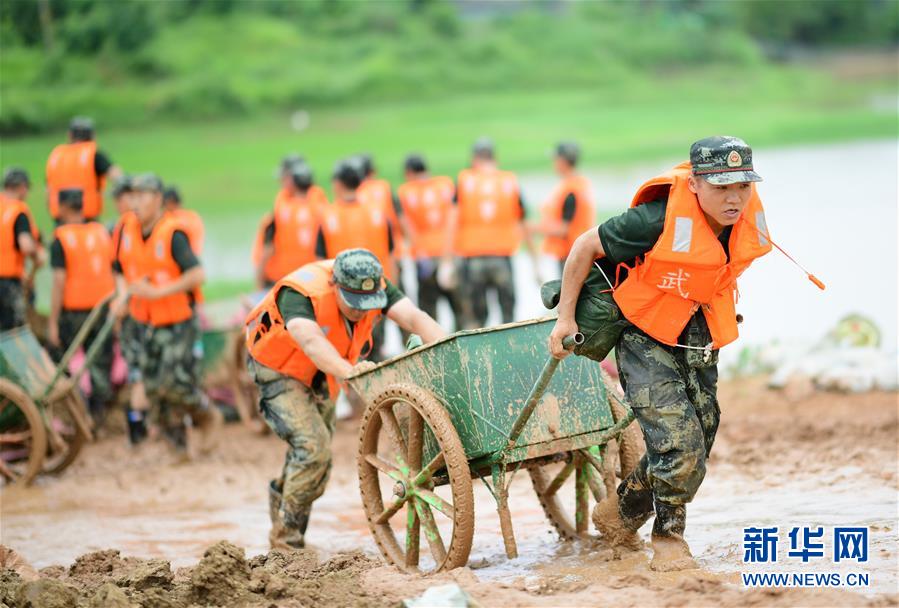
{"points": [[305, 420]]}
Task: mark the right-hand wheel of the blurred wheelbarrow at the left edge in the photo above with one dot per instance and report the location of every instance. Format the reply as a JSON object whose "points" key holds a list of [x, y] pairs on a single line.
{"points": [[67, 415]]}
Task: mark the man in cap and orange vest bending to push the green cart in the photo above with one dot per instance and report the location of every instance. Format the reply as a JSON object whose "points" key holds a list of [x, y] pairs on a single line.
{"points": [[303, 340]]}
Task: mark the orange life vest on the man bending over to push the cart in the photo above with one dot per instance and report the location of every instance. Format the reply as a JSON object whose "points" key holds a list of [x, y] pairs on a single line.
{"points": [[269, 342]]}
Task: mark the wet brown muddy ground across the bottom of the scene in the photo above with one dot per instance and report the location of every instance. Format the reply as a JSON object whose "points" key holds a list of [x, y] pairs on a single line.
{"points": [[129, 528]]}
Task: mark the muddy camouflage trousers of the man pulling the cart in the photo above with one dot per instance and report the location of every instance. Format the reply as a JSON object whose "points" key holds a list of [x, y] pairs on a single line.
{"points": [[673, 392]]}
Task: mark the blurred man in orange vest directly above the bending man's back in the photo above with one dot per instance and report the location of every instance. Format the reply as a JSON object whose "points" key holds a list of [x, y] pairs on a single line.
{"points": [[289, 238]]}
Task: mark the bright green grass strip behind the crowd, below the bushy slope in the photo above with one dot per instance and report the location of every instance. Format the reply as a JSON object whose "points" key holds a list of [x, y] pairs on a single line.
{"points": [[225, 169]]}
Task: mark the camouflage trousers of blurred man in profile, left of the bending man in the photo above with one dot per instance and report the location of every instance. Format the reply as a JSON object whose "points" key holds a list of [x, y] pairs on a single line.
{"points": [[170, 368]]}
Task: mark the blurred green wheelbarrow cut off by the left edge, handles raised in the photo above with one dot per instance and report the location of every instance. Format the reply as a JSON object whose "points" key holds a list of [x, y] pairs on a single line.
{"points": [[43, 419]]}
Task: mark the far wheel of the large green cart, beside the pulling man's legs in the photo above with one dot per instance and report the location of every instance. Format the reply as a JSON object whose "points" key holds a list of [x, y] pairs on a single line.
{"points": [[568, 489]]}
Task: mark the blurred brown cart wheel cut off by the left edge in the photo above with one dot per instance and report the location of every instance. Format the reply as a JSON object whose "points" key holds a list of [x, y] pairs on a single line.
{"points": [[23, 440]]}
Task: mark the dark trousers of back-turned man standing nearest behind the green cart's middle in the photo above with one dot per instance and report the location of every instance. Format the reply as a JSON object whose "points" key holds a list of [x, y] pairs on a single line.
{"points": [[478, 276]]}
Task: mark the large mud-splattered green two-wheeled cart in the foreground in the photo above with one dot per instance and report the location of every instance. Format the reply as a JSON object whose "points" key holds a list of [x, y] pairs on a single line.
{"points": [[484, 404]]}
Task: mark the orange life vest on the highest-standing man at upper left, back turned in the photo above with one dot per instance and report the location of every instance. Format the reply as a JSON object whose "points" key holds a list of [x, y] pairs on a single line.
{"points": [[72, 166]]}
